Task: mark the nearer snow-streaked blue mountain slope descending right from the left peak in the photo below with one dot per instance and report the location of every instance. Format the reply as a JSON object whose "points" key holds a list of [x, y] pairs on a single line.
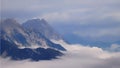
{"points": [[15, 33]]}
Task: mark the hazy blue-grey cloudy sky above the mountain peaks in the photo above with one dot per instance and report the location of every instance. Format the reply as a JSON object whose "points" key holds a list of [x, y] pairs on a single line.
{"points": [[80, 17]]}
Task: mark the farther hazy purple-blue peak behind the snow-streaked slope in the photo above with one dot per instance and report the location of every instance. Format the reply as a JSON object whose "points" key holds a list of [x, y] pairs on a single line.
{"points": [[42, 26]]}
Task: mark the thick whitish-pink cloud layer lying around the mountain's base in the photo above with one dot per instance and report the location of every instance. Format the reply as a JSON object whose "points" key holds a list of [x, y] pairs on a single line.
{"points": [[77, 56]]}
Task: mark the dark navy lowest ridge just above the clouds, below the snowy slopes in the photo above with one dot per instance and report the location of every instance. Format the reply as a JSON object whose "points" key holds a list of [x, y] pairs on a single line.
{"points": [[10, 50]]}
